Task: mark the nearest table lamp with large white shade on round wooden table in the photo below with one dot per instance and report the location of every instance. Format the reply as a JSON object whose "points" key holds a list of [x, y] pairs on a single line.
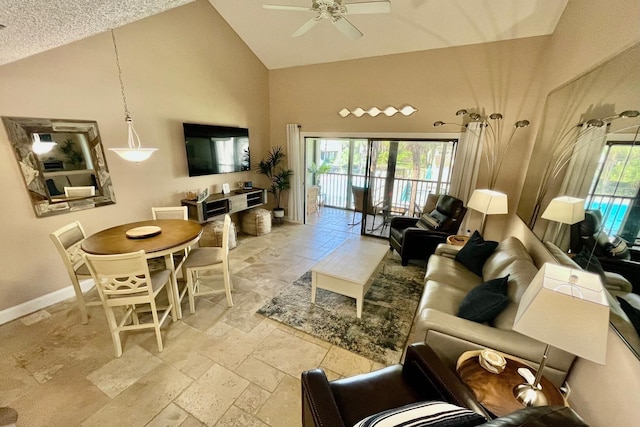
{"points": [[565, 308]]}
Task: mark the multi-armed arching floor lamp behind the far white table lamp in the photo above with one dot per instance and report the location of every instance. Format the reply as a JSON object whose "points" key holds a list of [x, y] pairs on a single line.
{"points": [[494, 149]]}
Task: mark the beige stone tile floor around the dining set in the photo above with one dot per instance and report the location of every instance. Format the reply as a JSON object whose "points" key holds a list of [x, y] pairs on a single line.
{"points": [[220, 367]]}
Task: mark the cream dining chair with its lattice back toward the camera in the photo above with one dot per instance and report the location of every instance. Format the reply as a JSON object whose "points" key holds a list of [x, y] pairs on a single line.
{"points": [[124, 280]]}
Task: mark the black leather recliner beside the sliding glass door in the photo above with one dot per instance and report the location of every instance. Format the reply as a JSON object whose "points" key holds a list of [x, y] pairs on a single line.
{"points": [[417, 238]]}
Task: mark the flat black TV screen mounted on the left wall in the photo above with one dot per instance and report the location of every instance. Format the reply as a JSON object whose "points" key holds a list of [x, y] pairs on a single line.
{"points": [[216, 149]]}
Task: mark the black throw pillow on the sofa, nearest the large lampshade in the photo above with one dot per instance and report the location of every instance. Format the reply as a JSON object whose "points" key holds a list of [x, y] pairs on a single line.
{"points": [[485, 301]]}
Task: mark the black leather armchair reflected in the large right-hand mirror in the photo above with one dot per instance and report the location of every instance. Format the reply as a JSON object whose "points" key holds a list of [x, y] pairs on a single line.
{"points": [[588, 234]]}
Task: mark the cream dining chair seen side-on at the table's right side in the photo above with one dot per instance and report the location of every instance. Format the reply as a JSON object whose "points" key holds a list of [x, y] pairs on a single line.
{"points": [[206, 259]]}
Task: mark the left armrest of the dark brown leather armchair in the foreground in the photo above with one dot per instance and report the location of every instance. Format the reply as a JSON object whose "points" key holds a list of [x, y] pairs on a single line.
{"points": [[319, 408]]}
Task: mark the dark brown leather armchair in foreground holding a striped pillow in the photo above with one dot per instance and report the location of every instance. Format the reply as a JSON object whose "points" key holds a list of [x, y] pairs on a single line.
{"points": [[423, 377]]}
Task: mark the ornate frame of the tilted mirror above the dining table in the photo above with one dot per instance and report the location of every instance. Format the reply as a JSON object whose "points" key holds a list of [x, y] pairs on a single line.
{"points": [[20, 130]]}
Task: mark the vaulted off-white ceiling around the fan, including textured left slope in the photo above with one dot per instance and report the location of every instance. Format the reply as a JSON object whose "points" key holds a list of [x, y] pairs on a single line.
{"points": [[33, 26]]}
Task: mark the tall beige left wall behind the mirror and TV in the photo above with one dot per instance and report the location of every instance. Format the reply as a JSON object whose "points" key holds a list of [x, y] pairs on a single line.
{"points": [[183, 65]]}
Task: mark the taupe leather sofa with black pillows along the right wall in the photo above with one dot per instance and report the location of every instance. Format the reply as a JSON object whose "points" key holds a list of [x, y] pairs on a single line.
{"points": [[447, 282]]}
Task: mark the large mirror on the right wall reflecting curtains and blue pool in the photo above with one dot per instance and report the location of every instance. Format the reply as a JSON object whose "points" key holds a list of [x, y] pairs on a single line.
{"points": [[606, 97]]}
